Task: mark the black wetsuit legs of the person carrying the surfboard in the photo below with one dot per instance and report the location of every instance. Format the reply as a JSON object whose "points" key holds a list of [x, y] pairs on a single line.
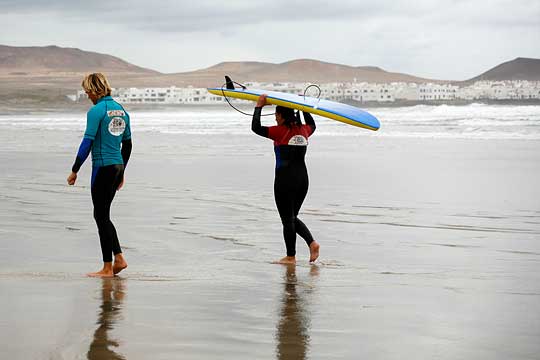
{"points": [[290, 189]]}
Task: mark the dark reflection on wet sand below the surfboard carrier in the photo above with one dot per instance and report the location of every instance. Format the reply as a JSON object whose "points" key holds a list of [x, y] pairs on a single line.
{"points": [[294, 323]]}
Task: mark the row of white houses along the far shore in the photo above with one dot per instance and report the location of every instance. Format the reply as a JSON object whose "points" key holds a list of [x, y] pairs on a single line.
{"points": [[363, 92]]}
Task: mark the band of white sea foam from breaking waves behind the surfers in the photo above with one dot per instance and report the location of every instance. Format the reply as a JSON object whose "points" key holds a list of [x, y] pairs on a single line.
{"points": [[478, 121]]}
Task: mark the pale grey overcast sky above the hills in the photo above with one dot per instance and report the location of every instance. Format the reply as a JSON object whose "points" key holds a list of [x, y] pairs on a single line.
{"points": [[449, 39]]}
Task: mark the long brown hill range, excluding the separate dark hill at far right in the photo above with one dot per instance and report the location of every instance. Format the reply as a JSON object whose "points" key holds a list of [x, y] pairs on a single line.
{"points": [[54, 61]]}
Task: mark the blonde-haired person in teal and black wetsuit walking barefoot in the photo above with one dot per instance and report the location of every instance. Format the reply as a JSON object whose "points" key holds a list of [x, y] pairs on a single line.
{"points": [[108, 137]]}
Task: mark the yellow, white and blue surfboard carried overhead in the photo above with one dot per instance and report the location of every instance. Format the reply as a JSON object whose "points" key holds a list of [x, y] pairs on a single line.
{"points": [[344, 113]]}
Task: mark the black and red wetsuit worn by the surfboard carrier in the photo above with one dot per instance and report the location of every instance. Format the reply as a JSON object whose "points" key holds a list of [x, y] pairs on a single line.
{"points": [[291, 181]]}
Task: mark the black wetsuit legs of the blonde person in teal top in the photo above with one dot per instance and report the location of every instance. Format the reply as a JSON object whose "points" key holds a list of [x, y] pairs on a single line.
{"points": [[105, 184]]}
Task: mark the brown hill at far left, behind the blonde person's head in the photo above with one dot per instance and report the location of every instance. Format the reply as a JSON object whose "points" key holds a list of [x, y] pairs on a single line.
{"points": [[54, 60]]}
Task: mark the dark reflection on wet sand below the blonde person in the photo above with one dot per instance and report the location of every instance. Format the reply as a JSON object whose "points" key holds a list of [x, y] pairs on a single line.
{"points": [[112, 295]]}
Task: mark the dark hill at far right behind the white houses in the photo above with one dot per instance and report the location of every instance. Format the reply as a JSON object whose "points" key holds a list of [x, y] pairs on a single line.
{"points": [[517, 69]]}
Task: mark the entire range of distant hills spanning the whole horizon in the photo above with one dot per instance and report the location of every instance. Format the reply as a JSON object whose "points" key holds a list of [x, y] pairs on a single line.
{"points": [[32, 71]]}
